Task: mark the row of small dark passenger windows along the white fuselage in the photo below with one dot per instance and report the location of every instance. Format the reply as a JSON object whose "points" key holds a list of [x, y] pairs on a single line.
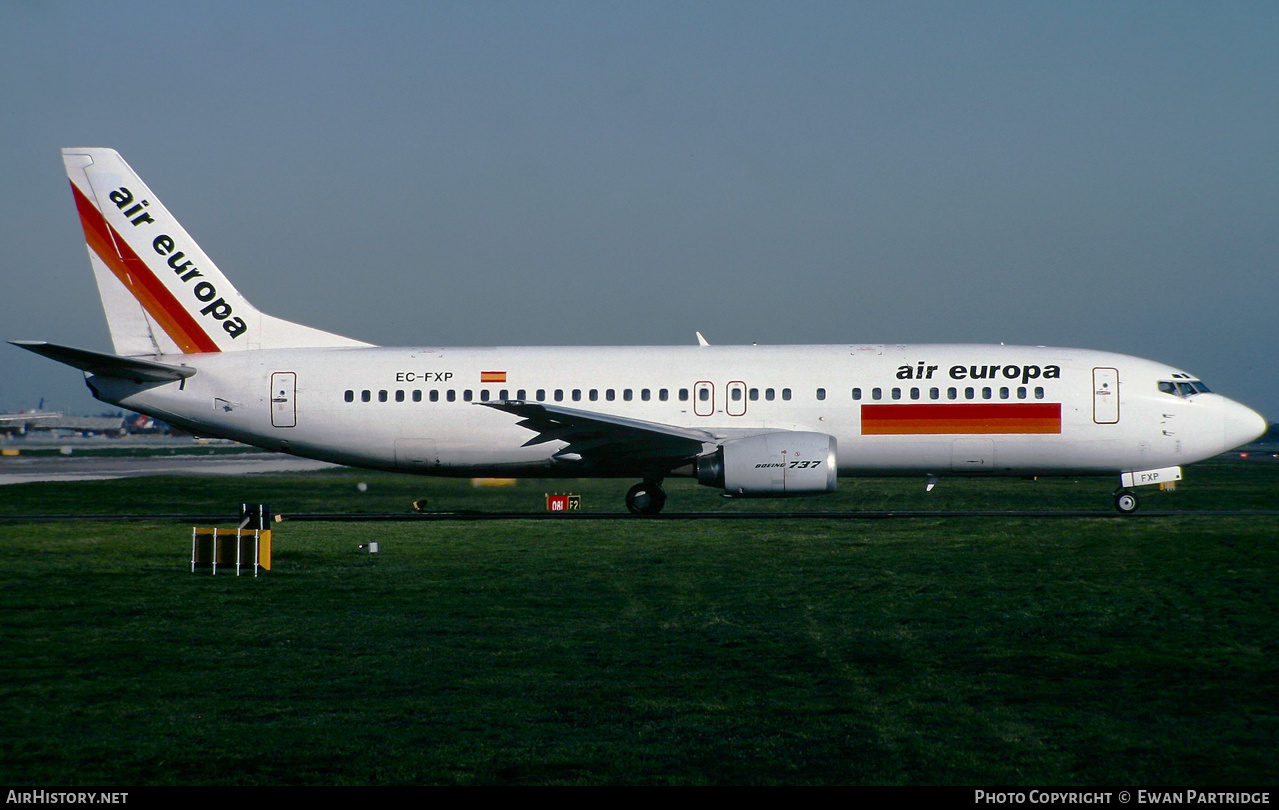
{"points": [[704, 395]]}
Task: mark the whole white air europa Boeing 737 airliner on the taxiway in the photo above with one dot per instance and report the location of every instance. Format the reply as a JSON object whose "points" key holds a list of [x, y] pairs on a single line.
{"points": [[751, 420]]}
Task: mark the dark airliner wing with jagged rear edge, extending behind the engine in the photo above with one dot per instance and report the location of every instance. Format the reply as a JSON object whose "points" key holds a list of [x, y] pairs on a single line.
{"points": [[604, 438]]}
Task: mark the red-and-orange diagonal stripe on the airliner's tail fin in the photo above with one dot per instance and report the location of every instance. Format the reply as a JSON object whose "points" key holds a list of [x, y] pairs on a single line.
{"points": [[139, 280]]}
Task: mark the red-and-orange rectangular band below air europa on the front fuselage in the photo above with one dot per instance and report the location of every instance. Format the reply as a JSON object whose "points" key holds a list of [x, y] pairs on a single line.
{"points": [[1014, 418]]}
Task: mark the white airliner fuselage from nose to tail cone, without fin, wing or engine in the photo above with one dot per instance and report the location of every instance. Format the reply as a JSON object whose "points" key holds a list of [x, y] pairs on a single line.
{"points": [[971, 409]]}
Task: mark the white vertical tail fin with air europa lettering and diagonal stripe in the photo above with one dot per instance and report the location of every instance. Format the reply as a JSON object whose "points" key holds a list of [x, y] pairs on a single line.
{"points": [[162, 294]]}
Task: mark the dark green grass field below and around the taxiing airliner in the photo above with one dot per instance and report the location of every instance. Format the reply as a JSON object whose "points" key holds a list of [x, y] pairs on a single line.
{"points": [[928, 652]]}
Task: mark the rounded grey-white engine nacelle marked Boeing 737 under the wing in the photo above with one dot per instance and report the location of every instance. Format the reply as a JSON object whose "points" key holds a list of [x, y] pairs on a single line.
{"points": [[787, 463]]}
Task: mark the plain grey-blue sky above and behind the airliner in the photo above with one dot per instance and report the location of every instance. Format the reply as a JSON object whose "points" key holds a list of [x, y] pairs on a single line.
{"points": [[1092, 175]]}
